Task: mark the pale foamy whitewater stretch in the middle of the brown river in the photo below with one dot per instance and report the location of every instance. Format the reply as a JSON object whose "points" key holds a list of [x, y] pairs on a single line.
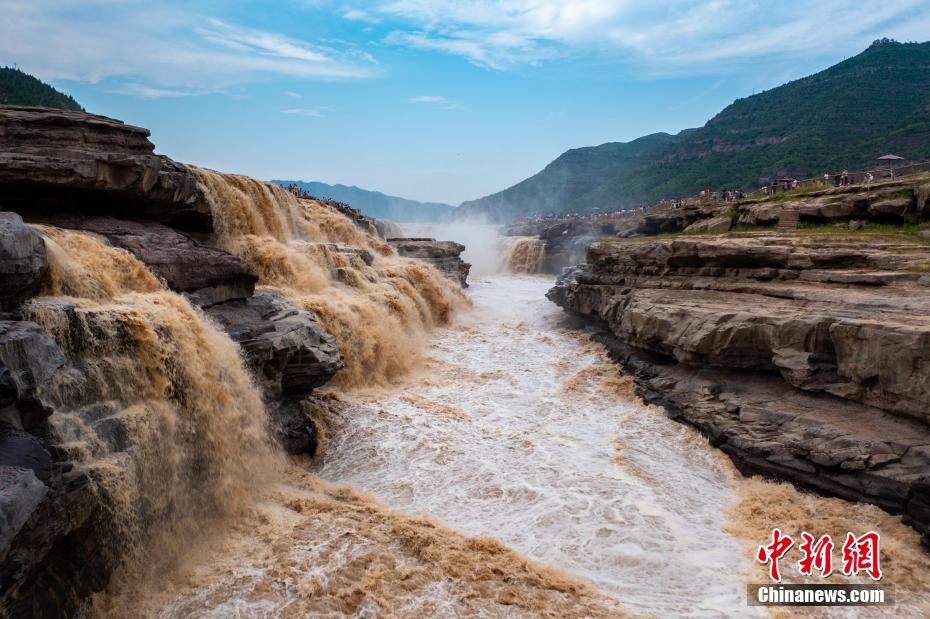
{"points": [[521, 428]]}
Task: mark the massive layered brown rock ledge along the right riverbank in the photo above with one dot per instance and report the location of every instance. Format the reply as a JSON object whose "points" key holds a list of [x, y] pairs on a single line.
{"points": [[805, 357]]}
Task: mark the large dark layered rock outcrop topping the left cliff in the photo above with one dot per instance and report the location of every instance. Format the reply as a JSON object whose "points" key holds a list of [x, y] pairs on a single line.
{"points": [[61, 160]]}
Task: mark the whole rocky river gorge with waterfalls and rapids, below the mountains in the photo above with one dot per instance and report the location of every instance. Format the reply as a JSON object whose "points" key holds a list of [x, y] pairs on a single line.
{"points": [[222, 397]]}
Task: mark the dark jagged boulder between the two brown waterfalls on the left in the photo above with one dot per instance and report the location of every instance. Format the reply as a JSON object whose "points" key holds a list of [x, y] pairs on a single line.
{"points": [[287, 348]]}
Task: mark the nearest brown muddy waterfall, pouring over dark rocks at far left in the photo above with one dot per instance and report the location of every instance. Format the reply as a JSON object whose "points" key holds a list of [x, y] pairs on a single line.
{"points": [[155, 409]]}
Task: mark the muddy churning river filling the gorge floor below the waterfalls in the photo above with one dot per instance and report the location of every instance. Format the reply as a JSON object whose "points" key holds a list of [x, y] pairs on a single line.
{"points": [[514, 473]]}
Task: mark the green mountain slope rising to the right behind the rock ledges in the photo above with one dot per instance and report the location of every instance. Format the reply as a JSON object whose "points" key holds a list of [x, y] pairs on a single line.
{"points": [[875, 103]]}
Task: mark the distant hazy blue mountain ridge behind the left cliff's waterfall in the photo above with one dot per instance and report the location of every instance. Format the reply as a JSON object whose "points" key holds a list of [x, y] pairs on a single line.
{"points": [[376, 204]]}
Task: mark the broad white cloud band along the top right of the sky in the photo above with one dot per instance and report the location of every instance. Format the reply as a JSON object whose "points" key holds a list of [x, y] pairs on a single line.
{"points": [[499, 34]]}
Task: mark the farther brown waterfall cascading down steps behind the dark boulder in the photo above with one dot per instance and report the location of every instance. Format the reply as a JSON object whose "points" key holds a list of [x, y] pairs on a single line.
{"points": [[377, 305]]}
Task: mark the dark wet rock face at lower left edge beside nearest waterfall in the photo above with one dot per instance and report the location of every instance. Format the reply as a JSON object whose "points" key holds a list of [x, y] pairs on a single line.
{"points": [[52, 547]]}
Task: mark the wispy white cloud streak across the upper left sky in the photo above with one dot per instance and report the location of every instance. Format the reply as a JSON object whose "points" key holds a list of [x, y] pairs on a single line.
{"points": [[154, 49]]}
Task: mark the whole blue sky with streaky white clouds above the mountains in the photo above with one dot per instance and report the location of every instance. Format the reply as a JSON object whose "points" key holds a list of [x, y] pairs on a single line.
{"points": [[443, 101]]}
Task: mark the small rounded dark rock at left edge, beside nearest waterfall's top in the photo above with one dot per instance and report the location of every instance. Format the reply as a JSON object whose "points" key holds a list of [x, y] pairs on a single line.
{"points": [[23, 262]]}
